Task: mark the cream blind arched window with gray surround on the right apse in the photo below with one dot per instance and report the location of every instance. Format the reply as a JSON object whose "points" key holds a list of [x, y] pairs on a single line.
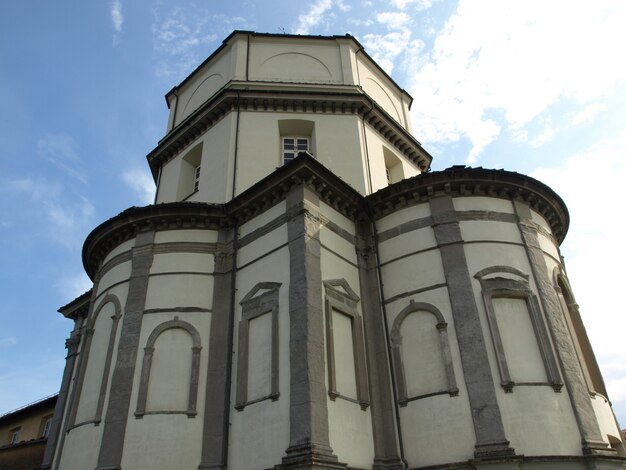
{"points": [[421, 353]]}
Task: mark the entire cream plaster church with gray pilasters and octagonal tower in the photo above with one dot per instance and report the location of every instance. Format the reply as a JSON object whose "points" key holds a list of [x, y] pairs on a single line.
{"points": [[348, 309]]}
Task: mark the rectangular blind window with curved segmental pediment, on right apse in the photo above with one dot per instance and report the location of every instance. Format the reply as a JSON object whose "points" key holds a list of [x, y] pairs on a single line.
{"points": [[515, 320]]}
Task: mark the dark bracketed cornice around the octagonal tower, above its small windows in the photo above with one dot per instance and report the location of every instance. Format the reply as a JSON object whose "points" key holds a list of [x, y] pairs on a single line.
{"points": [[304, 98]]}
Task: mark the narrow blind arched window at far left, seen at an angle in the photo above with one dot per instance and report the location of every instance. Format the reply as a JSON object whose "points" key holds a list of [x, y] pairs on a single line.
{"points": [[95, 365]]}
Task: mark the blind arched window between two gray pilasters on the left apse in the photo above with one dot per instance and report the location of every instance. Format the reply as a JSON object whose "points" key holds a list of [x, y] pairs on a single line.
{"points": [[171, 359]]}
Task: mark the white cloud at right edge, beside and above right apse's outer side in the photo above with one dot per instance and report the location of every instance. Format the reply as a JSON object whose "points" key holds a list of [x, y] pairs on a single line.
{"points": [[591, 185]]}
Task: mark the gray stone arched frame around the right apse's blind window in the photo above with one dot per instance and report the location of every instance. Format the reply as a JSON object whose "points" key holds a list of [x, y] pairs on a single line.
{"points": [[444, 345]]}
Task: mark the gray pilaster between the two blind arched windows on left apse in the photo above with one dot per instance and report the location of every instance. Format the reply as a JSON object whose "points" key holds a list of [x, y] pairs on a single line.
{"points": [[112, 447]]}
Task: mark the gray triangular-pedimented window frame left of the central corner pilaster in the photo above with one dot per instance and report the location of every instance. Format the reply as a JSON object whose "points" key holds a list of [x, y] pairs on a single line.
{"points": [[253, 306]]}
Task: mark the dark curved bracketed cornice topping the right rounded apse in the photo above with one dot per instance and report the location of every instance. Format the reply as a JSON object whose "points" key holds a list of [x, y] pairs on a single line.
{"points": [[464, 181]]}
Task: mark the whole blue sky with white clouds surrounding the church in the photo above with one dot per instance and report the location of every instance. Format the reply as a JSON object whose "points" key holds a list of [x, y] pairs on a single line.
{"points": [[531, 86]]}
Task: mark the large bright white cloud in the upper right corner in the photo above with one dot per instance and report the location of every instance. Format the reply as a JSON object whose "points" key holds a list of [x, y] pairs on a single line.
{"points": [[516, 57]]}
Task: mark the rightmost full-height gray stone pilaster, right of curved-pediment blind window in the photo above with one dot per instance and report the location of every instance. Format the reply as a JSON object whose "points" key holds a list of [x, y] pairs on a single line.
{"points": [[573, 376]]}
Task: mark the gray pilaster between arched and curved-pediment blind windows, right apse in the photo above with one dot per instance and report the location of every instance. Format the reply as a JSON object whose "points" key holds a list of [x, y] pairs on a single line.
{"points": [[491, 441]]}
